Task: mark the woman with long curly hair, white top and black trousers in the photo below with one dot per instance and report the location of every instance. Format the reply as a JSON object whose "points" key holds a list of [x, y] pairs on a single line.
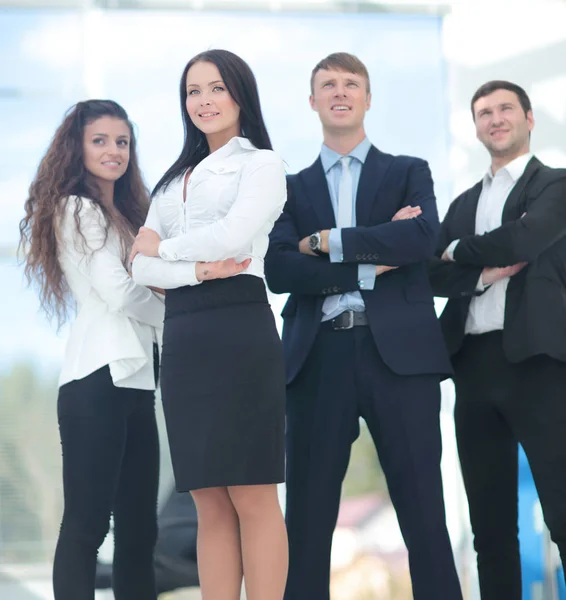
{"points": [[85, 204]]}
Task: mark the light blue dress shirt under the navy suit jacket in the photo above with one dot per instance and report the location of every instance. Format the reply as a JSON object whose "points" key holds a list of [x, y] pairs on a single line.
{"points": [[333, 170]]}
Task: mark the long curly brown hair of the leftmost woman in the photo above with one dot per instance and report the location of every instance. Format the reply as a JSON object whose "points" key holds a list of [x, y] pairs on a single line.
{"points": [[62, 174]]}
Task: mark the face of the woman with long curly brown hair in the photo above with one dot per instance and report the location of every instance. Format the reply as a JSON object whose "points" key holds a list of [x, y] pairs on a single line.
{"points": [[106, 148]]}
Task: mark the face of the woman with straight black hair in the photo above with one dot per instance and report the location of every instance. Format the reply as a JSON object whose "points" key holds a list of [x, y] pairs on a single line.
{"points": [[209, 104]]}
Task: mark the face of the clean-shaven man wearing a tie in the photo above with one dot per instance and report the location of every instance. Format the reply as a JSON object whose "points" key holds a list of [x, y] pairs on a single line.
{"points": [[341, 100]]}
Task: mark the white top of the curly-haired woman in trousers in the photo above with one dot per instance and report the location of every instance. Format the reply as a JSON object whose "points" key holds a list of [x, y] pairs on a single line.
{"points": [[117, 320]]}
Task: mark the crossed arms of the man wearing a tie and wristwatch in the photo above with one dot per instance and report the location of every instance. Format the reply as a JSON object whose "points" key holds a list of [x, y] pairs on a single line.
{"points": [[408, 238]]}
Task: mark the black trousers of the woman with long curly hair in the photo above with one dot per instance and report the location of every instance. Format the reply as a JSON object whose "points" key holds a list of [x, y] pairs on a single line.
{"points": [[110, 466]]}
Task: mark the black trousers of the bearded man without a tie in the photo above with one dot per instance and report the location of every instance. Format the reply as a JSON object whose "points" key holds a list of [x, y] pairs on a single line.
{"points": [[498, 406]]}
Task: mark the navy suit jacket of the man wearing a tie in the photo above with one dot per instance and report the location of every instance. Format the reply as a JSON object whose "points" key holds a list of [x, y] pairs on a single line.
{"points": [[400, 308]]}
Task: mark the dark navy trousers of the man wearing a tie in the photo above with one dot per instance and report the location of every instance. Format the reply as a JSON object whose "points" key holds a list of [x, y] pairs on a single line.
{"points": [[345, 379]]}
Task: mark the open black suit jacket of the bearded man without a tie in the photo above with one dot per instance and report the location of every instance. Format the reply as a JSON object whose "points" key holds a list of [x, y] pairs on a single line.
{"points": [[535, 309]]}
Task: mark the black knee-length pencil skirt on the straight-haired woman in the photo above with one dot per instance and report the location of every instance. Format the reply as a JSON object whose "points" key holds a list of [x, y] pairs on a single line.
{"points": [[223, 385]]}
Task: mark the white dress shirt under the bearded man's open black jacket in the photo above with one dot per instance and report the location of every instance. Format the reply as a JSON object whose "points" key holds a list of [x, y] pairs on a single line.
{"points": [[487, 312]]}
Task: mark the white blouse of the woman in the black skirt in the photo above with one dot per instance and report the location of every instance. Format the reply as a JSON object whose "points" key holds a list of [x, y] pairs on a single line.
{"points": [[233, 198]]}
